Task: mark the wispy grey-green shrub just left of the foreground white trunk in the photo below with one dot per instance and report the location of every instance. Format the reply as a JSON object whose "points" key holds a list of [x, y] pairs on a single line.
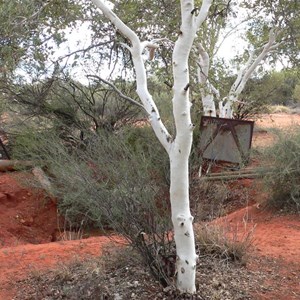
{"points": [[111, 181]]}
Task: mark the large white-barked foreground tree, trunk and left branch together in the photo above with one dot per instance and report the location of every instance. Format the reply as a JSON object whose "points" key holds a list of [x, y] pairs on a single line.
{"points": [[178, 147]]}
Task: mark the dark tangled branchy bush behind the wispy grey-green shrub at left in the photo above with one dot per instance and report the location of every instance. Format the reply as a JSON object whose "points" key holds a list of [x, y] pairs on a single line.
{"points": [[71, 108]]}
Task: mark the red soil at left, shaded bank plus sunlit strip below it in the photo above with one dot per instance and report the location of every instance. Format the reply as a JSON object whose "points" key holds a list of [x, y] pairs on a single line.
{"points": [[28, 225]]}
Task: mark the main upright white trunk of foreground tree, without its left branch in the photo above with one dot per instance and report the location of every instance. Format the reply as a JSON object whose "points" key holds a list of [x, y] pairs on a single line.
{"points": [[180, 150]]}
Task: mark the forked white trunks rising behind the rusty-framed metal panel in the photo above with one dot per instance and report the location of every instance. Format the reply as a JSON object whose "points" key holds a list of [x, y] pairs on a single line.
{"points": [[226, 105]]}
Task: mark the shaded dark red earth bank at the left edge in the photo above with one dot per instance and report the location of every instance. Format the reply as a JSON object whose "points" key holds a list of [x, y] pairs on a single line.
{"points": [[27, 216]]}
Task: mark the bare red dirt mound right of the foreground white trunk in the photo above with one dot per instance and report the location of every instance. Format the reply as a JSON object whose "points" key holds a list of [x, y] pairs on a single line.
{"points": [[274, 235]]}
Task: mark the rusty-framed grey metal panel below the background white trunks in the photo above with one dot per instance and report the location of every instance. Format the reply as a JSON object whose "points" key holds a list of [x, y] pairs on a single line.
{"points": [[226, 140]]}
